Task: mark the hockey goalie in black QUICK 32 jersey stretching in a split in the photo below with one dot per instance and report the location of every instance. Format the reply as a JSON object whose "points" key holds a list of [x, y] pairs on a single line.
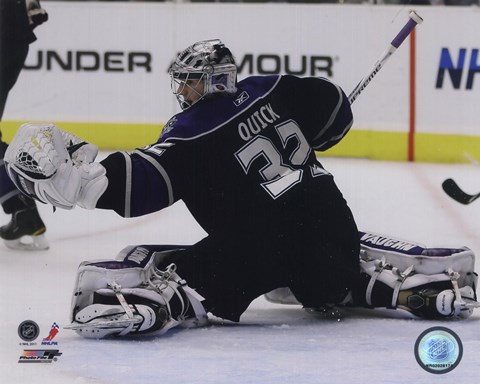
{"points": [[242, 157]]}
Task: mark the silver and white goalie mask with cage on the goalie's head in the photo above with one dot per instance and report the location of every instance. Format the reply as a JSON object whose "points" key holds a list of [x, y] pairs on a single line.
{"points": [[205, 68]]}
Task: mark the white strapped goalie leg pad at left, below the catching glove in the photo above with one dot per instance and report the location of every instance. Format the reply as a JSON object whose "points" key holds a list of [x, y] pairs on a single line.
{"points": [[110, 299]]}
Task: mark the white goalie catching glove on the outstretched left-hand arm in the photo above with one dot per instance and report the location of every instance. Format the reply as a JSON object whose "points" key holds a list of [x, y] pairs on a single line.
{"points": [[55, 167]]}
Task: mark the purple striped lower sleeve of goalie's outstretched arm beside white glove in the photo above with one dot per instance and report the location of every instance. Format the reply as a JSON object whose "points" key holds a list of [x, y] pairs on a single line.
{"points": [[137, 184]]}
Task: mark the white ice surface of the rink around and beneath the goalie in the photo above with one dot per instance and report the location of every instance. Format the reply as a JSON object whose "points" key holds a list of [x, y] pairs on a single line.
{"points": [[273, 343]]}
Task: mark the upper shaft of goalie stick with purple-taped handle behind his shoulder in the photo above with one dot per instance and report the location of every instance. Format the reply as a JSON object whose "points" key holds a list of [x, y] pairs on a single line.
{"points": [[414, 20]]}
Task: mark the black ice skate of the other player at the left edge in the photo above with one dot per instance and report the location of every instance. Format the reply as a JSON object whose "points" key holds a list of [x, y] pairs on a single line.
{"points": [[25, 231]]}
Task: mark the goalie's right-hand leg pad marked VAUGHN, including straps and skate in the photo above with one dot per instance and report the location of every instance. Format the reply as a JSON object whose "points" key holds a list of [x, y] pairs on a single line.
{"points": [[431, 283]]}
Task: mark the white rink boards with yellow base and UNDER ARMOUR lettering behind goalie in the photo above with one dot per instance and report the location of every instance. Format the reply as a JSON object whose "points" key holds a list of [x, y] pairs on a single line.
{"points": [[99, 69]]}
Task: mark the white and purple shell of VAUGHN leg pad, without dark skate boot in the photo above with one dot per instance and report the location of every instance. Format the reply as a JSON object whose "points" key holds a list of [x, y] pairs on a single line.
{"points": [[403, 265]]}
